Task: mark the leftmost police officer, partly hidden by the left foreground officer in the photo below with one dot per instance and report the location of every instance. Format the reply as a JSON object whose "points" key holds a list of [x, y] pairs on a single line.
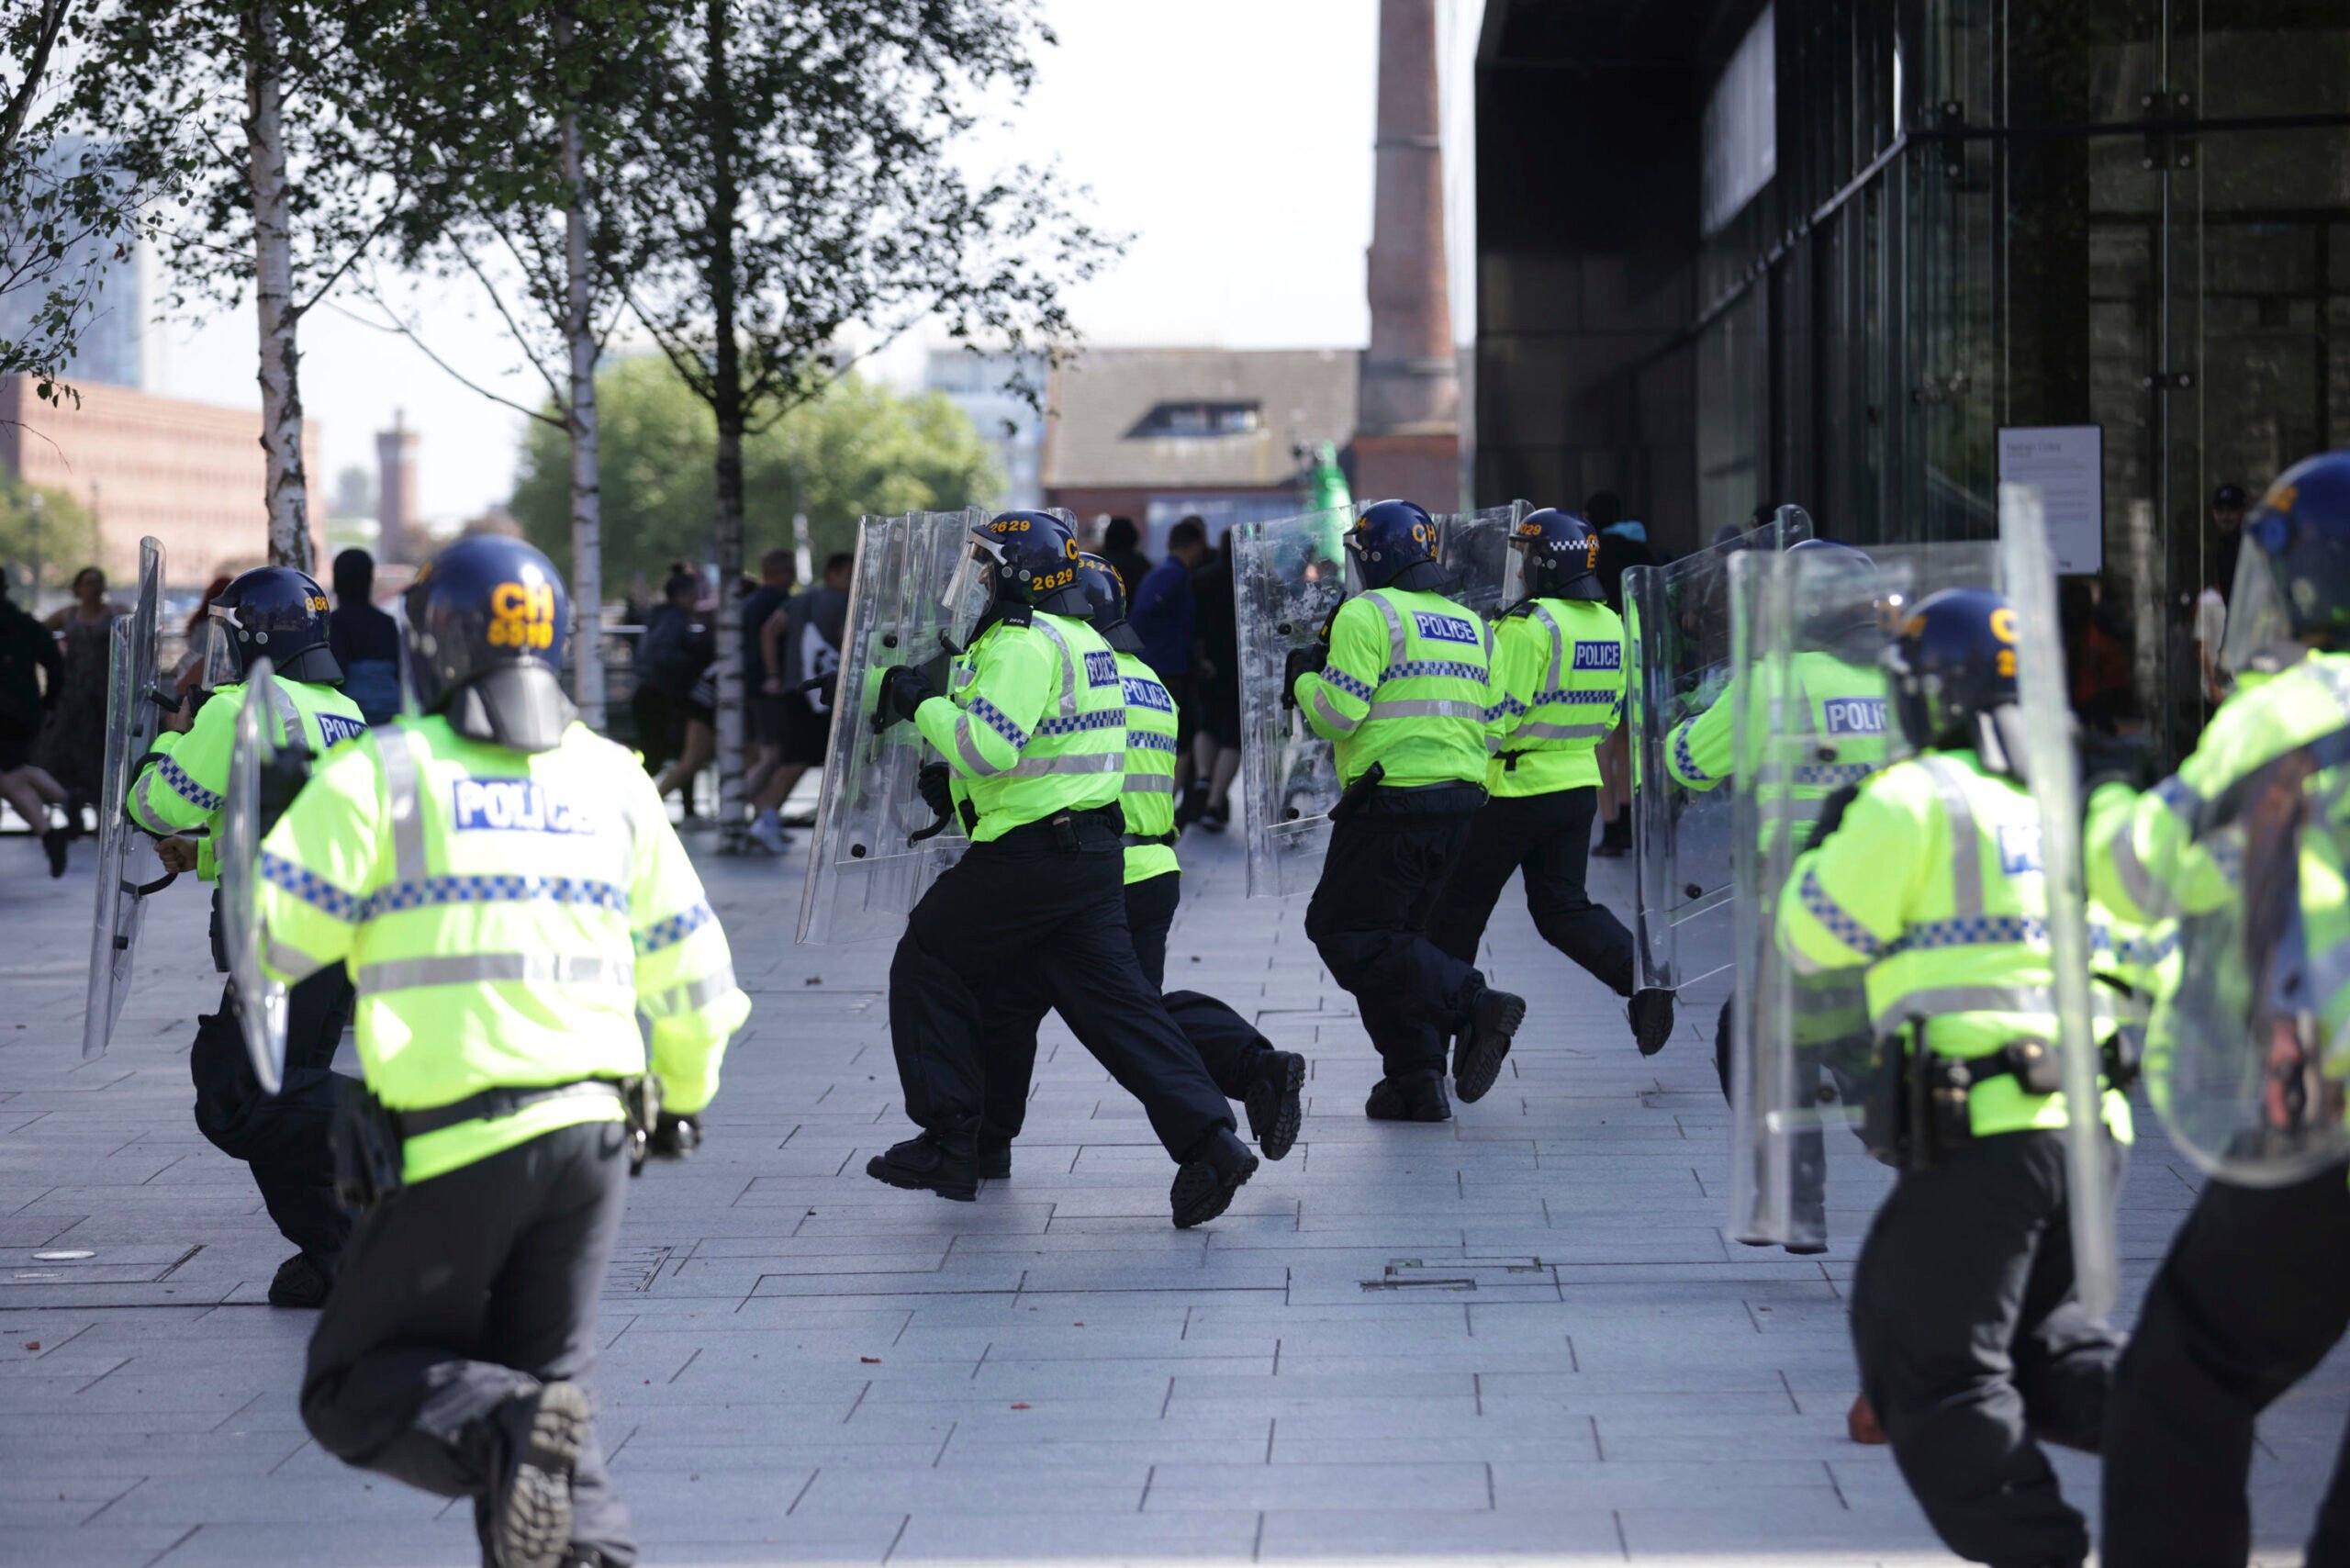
{"points": [[278, 615]]}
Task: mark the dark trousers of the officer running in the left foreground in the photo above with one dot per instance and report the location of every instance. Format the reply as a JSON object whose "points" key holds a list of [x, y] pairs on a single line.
{"points": [[459, 1294]]}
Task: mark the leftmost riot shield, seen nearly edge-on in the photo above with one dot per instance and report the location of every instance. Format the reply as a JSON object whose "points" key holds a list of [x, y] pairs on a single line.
{"points": [[128, 864]]}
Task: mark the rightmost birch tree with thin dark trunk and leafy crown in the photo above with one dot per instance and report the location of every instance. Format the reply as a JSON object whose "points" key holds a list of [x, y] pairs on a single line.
{"points": [[800, 185]]}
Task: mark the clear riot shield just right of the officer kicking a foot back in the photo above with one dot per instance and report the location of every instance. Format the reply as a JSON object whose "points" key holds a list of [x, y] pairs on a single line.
{"points": [[1677, 622]]}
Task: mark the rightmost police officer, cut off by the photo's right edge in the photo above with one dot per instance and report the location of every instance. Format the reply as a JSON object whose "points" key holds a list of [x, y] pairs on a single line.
{"points": [[2257, 1285]]}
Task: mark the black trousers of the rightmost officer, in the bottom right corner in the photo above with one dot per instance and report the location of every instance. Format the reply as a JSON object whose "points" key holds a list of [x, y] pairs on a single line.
{"points": [[2255, 1294]]}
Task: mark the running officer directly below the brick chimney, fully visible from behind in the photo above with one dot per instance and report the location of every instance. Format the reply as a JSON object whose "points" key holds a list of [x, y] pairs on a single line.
{"points": [[1399, 685]]}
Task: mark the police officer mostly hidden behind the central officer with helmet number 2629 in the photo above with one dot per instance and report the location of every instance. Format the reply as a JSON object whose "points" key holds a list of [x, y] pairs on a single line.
{"points": [[1242, 1061]]}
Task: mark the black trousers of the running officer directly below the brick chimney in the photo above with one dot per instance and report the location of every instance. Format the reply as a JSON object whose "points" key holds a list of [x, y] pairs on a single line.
{"points": [[1369, 920]]}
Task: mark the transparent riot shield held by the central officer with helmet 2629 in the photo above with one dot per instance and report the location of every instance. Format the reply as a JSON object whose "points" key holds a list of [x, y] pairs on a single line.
{"points": [[878, 845]]}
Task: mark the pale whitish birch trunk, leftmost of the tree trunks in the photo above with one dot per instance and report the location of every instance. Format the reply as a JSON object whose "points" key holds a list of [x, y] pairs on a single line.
{"points": [[274, 293]]}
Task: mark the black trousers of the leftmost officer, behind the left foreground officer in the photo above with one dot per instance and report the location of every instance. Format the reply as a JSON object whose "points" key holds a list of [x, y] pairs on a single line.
{"points": [[281, 1137]]}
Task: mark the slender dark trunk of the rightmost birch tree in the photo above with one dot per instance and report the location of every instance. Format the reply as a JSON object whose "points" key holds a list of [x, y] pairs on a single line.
{"points": [[727, 403]]}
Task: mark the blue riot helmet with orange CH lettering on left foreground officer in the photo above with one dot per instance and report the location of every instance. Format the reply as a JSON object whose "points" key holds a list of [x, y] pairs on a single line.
{"points": [[485, 636]]}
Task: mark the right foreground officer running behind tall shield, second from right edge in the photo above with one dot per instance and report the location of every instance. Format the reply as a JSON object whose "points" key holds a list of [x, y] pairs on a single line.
{"points": [[1970, 1336]]}
